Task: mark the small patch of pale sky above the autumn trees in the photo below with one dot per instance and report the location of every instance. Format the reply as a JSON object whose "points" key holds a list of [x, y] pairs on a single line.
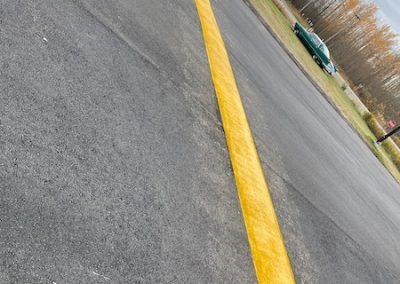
{"points": [[390, 13]]}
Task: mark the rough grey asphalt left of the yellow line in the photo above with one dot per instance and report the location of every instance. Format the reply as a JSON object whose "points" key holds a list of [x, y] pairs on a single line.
{"points": [[113, 161]]}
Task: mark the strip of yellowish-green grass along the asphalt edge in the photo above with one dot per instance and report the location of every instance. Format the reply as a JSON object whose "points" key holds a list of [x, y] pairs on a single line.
{"points": [[283, 30]]}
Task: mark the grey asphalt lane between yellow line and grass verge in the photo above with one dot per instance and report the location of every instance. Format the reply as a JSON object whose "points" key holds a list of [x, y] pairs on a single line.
{"points": [[339, 208]]}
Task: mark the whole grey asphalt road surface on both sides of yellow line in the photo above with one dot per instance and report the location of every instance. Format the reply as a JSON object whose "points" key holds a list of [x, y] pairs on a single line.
{"points": [[113, 161]]}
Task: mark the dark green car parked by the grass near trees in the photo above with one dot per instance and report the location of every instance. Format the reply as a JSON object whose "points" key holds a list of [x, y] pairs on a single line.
{"points": [[316, 47]]}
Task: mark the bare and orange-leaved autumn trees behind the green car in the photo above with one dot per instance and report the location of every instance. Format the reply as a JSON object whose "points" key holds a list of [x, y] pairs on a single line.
{"points": [[363, 47]]}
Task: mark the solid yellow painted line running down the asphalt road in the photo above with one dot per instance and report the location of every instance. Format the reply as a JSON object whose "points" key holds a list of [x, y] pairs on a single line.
{"points": [[267, 247]]}
